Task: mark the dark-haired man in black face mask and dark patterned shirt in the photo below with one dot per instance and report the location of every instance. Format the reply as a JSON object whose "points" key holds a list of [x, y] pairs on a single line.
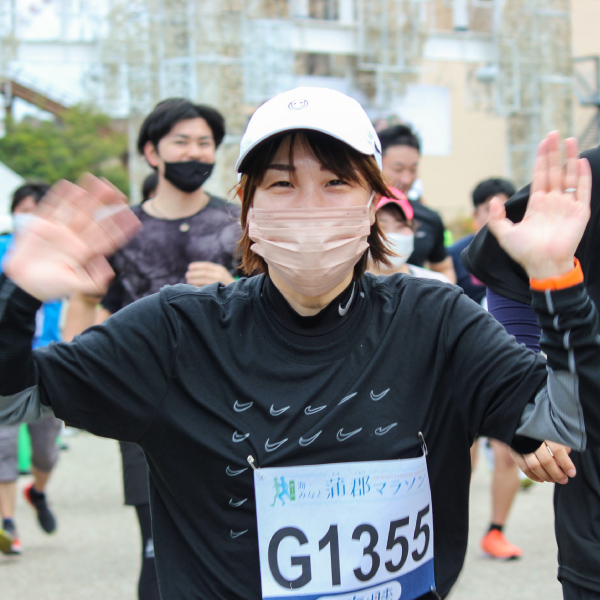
{"points": [[187, 236]]}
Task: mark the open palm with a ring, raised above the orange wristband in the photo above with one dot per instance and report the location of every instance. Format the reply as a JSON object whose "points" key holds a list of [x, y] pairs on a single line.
{"points": [[544, 242]]}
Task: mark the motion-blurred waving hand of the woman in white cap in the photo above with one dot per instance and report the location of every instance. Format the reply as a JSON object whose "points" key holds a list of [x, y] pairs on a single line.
{"points": [[64, 248]]}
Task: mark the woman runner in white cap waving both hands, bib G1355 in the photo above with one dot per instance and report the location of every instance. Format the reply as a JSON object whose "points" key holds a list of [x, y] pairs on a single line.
{"points": [[307, 430]]}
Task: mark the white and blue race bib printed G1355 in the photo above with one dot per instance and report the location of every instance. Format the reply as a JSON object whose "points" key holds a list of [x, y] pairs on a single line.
{"points": [[349, 531]]}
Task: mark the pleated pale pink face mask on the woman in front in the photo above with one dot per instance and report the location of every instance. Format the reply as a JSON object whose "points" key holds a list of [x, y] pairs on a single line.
{"points": [[311, 250]]}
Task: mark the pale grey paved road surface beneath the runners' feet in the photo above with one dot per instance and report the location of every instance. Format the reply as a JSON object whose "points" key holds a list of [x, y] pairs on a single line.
{"points": [[94, 554]]}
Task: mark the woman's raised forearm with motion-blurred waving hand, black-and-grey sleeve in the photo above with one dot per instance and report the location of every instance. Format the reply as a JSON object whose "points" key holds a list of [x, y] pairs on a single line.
{"points": [[62, 251]]}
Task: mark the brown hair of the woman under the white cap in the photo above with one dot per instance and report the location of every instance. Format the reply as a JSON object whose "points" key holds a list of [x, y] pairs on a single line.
{"points": [[336, 156]]}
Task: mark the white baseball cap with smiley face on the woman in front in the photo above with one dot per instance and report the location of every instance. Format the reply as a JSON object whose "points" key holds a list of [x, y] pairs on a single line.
{"points": [[319, 109]]}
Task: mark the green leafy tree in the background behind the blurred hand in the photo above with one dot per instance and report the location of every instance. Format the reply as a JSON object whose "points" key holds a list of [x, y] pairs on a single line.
{"points": [[81, 140]]}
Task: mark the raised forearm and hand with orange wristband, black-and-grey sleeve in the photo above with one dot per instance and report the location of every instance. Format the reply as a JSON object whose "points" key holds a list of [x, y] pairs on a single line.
{"points": [[544, 243]]}
